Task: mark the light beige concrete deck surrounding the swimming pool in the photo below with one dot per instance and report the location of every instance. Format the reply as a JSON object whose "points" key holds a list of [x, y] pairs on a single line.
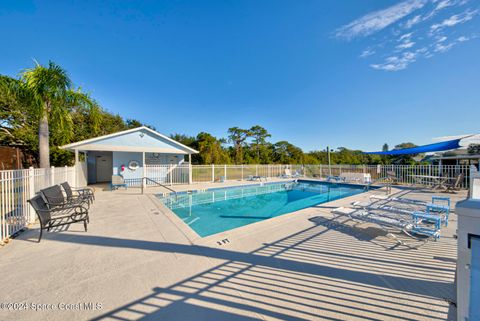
{"points": [[137, 263]]}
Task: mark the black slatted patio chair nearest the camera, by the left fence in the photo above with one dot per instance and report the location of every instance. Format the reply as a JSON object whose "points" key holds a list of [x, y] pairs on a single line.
{"points": [[51, 216]]}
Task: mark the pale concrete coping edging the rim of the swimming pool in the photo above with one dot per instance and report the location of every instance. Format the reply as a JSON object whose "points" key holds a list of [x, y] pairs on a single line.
{"points": [[195, 238]]}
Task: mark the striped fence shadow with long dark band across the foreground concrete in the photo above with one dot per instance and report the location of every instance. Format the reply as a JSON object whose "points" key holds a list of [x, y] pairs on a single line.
{"points": [[312, 274]]}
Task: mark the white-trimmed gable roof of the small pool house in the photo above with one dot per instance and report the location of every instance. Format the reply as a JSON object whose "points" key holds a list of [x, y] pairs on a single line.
{"points": [[94, 143]]}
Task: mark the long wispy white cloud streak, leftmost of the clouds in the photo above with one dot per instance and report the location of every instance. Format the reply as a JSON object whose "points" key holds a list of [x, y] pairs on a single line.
{"points": [[379, 20]]}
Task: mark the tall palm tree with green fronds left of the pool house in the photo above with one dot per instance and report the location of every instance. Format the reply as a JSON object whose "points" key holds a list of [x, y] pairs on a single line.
{"points": [[53, 99]]}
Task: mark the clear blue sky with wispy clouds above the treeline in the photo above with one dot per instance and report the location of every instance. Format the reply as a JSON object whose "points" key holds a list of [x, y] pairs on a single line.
{"points": [[316, 73]]}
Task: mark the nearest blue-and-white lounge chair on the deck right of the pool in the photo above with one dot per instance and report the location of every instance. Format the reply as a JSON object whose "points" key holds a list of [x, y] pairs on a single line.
{"points": [[409, 226]]}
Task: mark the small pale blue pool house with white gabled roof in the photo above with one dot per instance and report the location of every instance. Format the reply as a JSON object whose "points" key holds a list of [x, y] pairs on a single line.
{"points": [[133, 154]]}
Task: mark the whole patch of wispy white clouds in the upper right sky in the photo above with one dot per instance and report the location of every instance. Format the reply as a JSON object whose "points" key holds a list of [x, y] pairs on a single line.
{"points": [[414, 30]]}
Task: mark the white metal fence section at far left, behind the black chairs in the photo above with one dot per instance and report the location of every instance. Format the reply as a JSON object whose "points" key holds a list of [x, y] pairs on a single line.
{"points": [[18, 186]]}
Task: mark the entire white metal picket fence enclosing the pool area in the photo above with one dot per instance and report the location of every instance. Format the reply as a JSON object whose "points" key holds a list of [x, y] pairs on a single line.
{"points": [[17, 186]]}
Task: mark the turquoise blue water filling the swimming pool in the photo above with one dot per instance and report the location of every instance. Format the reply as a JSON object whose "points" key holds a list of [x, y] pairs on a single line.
{"points": [[223, 209]]}
